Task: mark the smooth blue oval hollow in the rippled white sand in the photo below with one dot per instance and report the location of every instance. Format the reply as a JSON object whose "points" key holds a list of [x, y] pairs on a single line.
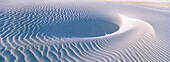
{"points": [[93, 28]]}
